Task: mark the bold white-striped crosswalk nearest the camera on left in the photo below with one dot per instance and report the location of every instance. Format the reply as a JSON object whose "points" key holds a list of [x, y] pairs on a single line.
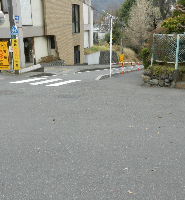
{"points": [[54, 82]]}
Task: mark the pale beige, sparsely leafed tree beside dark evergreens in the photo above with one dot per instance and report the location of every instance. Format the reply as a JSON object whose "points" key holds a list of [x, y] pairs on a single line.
{"points": [[140, 23]]}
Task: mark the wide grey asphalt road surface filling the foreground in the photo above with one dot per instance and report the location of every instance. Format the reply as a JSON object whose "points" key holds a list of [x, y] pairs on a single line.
{"points": [[108, 139]]}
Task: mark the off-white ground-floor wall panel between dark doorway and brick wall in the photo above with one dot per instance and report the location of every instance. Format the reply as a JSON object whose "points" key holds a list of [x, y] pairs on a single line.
{"points": [[41, 49]]}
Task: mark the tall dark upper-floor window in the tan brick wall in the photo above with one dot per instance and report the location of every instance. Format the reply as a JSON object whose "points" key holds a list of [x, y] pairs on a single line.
{"points": [[76, 18]]}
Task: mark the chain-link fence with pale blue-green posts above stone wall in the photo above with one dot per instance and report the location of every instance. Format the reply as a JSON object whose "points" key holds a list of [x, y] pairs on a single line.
{"points": [[168, 48]]}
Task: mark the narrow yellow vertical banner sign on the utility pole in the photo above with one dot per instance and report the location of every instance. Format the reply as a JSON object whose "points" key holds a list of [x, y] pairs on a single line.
{"points": [[16, 59]]}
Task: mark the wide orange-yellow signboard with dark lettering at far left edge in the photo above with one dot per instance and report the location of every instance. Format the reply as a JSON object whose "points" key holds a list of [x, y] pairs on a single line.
{"points": [[4, 56]]}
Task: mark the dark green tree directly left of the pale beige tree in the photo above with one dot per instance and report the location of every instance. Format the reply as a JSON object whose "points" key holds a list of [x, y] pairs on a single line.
{"points": [[125, 10]]}
